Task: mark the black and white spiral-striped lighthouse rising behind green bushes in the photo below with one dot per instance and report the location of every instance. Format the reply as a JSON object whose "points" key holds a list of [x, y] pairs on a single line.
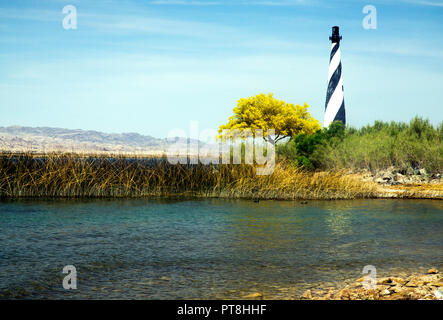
{"points": [[335, 102]]}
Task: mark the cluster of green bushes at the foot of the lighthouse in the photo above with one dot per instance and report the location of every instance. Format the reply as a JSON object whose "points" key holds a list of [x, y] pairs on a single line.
{"points": [[406, 146]]}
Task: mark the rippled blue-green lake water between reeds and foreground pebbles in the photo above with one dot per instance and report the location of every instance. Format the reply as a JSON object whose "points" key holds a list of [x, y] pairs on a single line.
{"points": [[209, 249]]}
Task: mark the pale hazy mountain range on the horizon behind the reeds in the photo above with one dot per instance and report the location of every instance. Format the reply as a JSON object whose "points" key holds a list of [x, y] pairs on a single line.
{"points": [[45, 139]]}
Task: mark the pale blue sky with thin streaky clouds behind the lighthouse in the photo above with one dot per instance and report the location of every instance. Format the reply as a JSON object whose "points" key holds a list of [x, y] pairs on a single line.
{"points": [[152, 66]]}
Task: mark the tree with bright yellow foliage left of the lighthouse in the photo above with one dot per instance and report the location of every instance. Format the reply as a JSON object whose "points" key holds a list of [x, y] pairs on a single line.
{"points": [[265, 112]]}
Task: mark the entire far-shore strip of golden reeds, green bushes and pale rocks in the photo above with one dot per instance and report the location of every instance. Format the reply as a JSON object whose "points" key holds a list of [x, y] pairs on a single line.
{"points": [[383, 160]]}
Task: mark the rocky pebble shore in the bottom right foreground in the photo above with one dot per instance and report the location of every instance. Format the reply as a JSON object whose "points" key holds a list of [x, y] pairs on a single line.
{"points": [[413, 287]]}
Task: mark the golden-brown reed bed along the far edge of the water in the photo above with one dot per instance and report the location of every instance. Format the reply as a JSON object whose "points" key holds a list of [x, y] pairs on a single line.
{"points": [[59, 175]]}
